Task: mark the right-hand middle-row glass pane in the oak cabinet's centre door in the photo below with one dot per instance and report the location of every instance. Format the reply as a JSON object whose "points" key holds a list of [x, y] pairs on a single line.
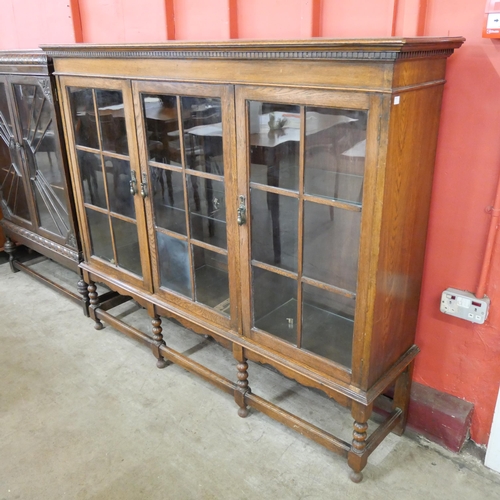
{"points": [[207, 210]]}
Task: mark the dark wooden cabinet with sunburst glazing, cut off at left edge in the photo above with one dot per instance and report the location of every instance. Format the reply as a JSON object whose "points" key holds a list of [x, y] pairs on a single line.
{"points": [[35, 195]]}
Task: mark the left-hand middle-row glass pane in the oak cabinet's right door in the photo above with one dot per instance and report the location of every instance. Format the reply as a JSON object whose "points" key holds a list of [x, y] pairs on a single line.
{"points": [[274, 229]]}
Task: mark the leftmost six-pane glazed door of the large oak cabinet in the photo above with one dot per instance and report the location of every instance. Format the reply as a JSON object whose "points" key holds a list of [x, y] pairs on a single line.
{"points": [[105, 171]]}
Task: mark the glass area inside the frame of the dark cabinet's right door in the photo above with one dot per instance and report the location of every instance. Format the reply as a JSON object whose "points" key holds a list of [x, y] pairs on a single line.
{"points": [[39, 146]]}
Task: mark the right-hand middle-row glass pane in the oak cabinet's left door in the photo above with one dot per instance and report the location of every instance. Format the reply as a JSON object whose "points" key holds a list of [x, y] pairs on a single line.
{"points": [[118, 177]]}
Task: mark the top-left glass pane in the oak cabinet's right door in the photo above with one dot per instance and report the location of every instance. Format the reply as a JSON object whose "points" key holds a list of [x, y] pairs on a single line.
{"points": [[274, 144]]}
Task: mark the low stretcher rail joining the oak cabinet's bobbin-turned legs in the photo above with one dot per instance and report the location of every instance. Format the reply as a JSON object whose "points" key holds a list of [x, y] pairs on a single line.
{"points": [[356, 453]]}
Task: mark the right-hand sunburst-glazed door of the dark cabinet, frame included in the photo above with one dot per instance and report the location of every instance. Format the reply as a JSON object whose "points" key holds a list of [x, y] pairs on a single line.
{"points": [[40, 147]]}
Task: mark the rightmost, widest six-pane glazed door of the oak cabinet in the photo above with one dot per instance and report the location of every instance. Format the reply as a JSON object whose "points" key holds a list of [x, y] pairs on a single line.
{"points": [[301, 168]]}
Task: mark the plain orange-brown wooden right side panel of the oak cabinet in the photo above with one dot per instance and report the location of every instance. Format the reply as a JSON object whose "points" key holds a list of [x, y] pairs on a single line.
{"points": [[412, 142]]}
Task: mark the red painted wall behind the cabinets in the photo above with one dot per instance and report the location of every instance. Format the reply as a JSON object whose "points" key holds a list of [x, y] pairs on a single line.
{"points": [[457, 357]]}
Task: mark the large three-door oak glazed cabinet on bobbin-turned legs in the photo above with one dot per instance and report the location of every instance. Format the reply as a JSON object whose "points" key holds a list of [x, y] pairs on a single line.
{"points": [[273, 195]]}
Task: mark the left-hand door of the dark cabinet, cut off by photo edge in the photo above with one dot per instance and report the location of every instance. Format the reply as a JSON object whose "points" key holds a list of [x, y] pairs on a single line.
{"points": [[13, 182]]}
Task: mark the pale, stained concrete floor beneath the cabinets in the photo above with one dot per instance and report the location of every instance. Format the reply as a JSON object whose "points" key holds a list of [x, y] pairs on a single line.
{"points": [[85, 414]]}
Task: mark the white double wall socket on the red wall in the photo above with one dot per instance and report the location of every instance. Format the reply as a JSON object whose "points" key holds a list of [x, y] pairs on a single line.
{"points": [[464, 305]]}
